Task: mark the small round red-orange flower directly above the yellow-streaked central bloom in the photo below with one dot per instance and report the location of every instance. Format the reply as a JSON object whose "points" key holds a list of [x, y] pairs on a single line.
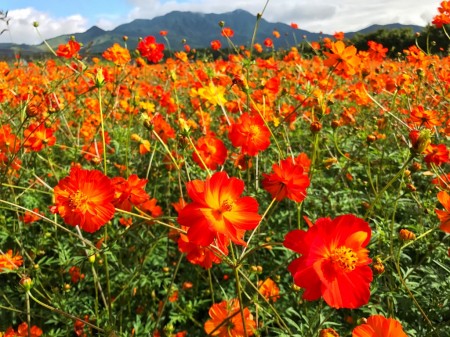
{"points": [[212, 152]]}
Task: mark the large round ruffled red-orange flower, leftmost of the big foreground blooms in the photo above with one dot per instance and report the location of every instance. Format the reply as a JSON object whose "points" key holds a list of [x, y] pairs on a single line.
{"points": [[84, 198]]}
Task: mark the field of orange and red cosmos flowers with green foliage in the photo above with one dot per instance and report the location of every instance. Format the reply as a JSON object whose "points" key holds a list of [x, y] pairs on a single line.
{"points": [[260, 193]]}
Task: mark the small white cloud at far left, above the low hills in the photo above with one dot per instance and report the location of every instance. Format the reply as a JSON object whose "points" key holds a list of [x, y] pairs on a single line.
{"points": [[21, 28]]}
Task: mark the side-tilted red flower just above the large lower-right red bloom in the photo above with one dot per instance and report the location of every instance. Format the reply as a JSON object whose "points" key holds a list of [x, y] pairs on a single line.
{"points": [[288, 180]]}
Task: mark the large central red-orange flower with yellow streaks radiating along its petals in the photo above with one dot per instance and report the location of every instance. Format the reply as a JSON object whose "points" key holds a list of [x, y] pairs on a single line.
{"points": [[218, 210]]}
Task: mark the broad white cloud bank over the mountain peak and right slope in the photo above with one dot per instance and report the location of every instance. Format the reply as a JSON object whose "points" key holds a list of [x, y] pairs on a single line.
{"points": [[327, 16]]}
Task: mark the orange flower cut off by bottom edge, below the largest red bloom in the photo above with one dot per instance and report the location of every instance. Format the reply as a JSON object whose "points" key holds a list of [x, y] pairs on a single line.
{"points": [[378, 326]]}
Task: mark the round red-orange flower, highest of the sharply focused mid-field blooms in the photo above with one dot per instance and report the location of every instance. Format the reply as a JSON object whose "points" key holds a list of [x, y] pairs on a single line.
{"points": [[250, 134]]}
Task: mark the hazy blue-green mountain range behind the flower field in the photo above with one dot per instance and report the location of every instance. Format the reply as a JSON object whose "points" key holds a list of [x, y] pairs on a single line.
{"points": [[196, 29]]}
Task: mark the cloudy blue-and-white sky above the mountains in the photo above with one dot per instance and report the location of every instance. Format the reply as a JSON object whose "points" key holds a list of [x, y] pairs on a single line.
{"points": [[57, 17]]}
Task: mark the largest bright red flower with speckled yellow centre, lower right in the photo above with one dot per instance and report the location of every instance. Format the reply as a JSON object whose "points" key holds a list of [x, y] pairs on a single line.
{"points": [[334, 261]]}
